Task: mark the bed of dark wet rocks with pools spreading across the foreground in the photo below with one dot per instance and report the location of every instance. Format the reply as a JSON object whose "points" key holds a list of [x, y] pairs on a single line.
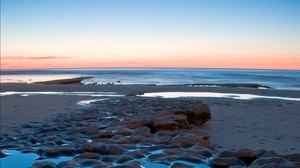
{"points": [[135, 132]]}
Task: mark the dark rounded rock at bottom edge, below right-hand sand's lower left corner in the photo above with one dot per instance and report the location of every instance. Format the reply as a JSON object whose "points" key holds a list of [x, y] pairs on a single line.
{"points": [[224, 162]]}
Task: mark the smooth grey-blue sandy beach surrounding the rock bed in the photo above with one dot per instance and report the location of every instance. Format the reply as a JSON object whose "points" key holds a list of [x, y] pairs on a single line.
{"points": [[262, 124]]}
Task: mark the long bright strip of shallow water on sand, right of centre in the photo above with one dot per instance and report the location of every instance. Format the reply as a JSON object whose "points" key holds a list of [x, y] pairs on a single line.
{"points": [[213, 94]]}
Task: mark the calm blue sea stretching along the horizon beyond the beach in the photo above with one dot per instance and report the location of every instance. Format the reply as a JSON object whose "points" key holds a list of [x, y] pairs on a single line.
{"points": [[278, 79]]}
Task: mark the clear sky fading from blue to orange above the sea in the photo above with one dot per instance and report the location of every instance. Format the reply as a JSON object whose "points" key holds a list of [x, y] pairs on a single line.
{"points": [[255, 34]]}
